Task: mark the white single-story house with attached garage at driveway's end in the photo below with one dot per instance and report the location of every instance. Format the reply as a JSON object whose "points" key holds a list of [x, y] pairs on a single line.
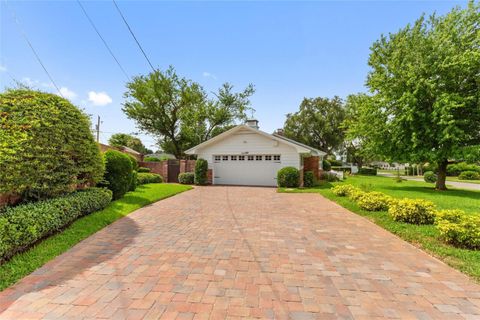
{"points": [[245, 155]]}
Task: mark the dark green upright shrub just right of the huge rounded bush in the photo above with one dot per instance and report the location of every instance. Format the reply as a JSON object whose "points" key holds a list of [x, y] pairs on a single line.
{"points": [[118, 173]]}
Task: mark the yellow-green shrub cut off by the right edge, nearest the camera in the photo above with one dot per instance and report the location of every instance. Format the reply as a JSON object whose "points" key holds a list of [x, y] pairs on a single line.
{"points": [[458, 228]]}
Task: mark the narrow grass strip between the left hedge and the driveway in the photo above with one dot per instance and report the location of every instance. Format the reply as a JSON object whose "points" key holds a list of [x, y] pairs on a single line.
{"points": [[24, 263]]}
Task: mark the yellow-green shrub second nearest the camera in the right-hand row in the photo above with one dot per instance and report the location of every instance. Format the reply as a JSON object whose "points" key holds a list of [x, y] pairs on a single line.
{"points": [[413, 211]]}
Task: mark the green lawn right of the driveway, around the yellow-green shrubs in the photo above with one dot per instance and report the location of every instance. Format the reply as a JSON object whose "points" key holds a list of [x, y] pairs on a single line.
{"points": [[425, 237]]}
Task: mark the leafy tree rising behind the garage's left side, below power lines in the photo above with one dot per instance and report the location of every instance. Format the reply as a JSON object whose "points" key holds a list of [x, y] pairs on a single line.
{"points": [[179, 112]]}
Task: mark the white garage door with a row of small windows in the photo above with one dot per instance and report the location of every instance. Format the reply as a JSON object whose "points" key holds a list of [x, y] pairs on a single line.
{"points": [[252, 170]]}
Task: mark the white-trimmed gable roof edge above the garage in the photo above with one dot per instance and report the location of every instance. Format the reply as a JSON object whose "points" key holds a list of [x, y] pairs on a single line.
{"points": [[301, 148]]}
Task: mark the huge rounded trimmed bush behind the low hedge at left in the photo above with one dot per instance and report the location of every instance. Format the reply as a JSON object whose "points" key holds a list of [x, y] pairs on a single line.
{"points": [[46, 147]]}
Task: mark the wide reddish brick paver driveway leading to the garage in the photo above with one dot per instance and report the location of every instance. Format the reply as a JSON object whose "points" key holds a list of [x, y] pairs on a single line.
{"points": [[231, 252]]}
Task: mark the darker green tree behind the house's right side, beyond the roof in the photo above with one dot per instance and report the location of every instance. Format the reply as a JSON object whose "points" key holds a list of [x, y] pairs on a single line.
{"points": [[317, 123]]}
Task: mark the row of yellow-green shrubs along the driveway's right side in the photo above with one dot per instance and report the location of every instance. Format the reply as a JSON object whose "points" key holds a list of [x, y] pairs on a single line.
{"points": [[455, 226]]}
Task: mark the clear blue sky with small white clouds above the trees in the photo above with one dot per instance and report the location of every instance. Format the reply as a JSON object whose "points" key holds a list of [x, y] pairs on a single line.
{"points": [[288, 50]]}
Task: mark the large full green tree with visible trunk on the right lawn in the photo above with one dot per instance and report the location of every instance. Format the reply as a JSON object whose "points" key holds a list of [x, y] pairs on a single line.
{"points": [[425, 85]]}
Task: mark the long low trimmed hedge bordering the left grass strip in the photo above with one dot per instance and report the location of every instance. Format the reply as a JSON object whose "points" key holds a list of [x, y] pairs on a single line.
{"points": [[23, 225]]}
